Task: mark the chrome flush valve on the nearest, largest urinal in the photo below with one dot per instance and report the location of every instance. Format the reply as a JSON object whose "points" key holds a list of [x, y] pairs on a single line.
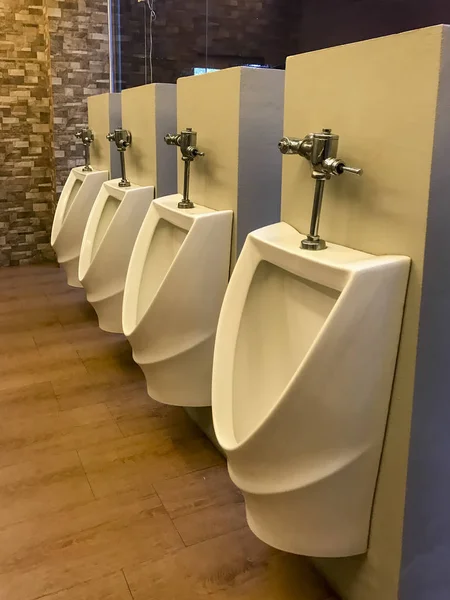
{"points": [[320, 149]]}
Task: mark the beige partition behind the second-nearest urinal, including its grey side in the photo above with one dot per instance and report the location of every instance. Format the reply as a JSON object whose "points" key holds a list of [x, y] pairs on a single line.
{"points": [[238, 115]]}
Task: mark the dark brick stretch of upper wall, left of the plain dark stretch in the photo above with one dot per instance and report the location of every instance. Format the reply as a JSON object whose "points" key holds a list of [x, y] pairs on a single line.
{"points": [[238, 33]]}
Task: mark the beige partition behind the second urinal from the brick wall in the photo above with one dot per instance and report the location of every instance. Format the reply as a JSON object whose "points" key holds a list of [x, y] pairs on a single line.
{"points": [[149, 112]]}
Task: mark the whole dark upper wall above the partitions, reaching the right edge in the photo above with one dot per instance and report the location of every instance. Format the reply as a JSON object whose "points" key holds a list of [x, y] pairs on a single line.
{"points": [[261, 30]]}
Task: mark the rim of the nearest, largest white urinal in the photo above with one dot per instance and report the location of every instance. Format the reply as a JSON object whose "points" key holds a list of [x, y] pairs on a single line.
{"points": [[256, 242]]}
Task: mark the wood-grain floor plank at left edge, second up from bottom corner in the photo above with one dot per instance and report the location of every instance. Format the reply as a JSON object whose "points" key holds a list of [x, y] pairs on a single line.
{"points": [[41, 485]]}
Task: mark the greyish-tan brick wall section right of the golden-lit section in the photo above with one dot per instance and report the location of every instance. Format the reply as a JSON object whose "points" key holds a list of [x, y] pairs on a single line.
{"points": [[79, 53]]}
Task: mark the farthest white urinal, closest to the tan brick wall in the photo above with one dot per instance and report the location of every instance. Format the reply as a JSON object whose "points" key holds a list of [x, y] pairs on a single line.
{"points": [[71, 215]]}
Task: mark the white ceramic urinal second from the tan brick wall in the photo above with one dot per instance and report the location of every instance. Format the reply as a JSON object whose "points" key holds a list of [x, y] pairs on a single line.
{"points": [[108, 241]]}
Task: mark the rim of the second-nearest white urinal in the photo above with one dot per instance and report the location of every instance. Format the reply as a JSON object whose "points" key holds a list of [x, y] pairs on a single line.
{"points": [[161, 206]]}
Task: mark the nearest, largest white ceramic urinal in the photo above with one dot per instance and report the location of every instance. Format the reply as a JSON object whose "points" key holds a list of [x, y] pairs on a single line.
{"points": [[303, 368]]}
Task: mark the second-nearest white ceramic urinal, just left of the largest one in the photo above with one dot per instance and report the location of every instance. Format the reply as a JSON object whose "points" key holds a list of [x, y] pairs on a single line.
{"points": [[174, 290]]}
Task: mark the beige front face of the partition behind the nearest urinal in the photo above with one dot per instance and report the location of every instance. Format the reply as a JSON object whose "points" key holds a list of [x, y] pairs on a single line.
{"points": [[382, 97]]}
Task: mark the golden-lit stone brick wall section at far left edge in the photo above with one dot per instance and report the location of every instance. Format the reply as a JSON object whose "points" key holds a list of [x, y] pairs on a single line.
{"points": [[26, 160]]}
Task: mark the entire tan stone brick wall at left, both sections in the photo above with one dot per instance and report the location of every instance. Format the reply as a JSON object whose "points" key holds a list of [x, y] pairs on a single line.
{"points": [[53, 54]]}
